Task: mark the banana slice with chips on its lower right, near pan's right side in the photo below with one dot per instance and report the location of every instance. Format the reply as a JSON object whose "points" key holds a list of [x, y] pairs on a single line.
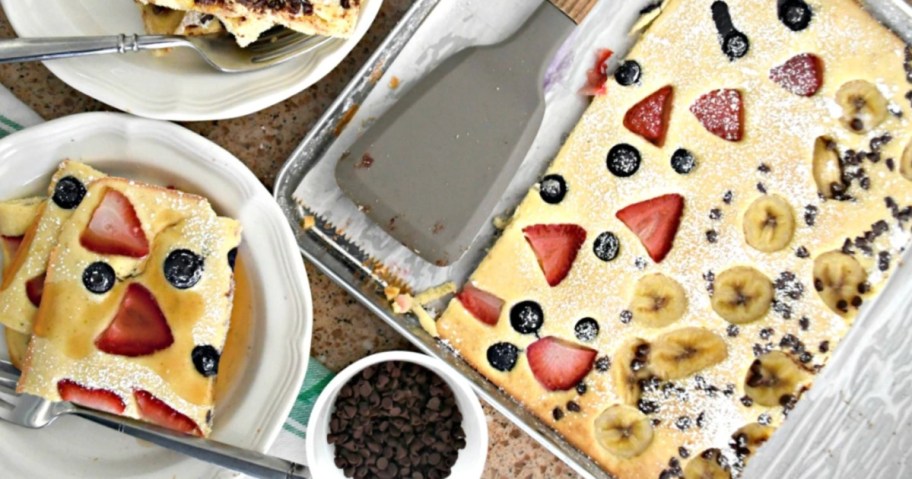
{"points": [[840, 281]]}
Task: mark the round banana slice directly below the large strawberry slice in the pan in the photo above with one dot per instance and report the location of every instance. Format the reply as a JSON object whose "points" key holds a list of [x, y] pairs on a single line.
{"points": [[658, 301]]}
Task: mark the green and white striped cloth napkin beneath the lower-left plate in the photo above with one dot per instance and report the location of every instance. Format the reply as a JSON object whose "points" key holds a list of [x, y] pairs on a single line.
{"points": [[14, 116]]}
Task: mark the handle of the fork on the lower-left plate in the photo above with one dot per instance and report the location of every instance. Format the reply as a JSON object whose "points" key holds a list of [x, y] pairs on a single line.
{"points": [[240, 460]]}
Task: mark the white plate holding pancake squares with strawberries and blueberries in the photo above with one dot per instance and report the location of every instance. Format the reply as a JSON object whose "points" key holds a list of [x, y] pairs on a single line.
{"points": [[264, 392]]}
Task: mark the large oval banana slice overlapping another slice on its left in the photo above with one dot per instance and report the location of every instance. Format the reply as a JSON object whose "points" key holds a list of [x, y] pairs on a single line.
{"points": [[683, 352]]}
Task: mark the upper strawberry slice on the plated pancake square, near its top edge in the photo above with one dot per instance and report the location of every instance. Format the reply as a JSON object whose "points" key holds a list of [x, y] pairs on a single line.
{"points": [[115, 228]]}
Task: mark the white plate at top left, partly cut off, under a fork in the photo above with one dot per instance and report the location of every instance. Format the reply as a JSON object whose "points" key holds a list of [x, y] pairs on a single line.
{"points": [[178, 86]]}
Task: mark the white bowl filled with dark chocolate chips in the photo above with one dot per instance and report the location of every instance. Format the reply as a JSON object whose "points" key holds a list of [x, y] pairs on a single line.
{"points": [[397, 415]]}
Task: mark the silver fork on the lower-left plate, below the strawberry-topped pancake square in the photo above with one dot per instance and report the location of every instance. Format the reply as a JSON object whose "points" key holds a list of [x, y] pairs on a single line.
{"points": [[35, 413]]}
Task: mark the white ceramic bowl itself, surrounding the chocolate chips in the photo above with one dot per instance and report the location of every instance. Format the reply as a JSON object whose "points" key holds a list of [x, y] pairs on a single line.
{"points": [[471, 460]]}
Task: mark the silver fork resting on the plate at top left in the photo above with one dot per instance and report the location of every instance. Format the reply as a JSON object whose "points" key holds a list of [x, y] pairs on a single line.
{"points": [[218, 50]]}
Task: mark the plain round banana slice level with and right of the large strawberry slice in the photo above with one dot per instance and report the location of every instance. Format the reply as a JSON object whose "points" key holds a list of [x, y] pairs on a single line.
{"points": [[769, 223]]}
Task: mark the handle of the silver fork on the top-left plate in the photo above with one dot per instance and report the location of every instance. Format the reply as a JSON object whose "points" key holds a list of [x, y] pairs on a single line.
{"points": [[17, 50]]}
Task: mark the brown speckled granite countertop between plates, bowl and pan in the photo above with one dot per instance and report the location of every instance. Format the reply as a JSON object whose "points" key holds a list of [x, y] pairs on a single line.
{"points": [[343, 330]]}
